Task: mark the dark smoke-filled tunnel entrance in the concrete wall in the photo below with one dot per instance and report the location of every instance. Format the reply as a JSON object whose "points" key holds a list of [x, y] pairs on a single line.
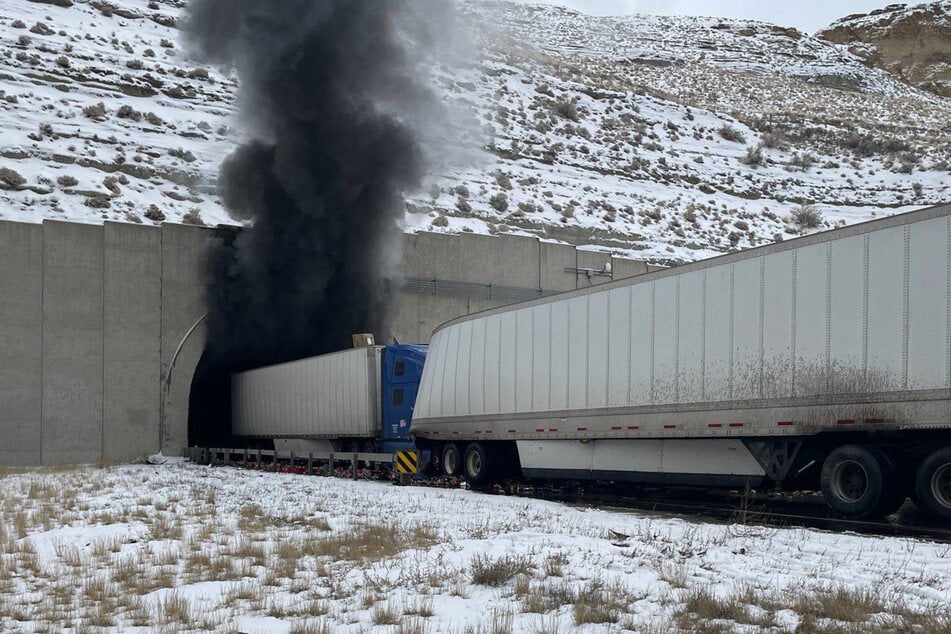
{"points": [[260, 314]]}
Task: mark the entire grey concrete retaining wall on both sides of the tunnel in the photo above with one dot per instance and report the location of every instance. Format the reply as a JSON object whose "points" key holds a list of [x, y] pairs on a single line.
{"points": [[92, 315]]}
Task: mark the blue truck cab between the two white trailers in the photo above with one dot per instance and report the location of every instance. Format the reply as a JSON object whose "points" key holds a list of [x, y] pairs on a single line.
{"points": [[402, 370]]}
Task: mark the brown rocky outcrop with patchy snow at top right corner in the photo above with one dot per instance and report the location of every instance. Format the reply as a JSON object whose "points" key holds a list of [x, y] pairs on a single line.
{"points": [[911, 42]]}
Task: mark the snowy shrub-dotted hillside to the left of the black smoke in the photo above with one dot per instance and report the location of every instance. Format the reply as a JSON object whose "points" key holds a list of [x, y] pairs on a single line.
{"points": [[102, 118]]}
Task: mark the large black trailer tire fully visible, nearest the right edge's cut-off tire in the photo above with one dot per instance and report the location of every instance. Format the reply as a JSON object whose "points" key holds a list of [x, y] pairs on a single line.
{"points": [[860, 482]]}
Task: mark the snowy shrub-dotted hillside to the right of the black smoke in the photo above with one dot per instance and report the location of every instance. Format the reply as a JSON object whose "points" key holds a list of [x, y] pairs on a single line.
{"points": [[693, 144]]}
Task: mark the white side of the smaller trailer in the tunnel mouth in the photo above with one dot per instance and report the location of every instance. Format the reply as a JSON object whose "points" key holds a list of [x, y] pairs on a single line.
{"points": [[331, 396]]}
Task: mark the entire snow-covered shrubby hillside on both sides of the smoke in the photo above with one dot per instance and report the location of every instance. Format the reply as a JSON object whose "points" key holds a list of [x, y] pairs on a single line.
{"points": [[668, 139]]}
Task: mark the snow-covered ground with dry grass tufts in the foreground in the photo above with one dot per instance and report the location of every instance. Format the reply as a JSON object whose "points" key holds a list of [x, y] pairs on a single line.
{"points": [[180, 547]]}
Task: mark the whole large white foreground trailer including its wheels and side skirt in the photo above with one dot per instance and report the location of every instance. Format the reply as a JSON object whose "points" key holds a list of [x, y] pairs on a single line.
{"points": [[820, 361]]}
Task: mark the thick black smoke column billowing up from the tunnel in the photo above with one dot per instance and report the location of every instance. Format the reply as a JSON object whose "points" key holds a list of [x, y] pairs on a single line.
{"points": [[332, 95]]}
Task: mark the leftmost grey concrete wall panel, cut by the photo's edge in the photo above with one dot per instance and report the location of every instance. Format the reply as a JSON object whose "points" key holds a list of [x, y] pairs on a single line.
{"points": [[21, 336]]}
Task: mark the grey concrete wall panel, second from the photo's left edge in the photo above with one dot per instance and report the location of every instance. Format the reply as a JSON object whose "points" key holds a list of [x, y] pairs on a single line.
{"points": [[72, 343]]}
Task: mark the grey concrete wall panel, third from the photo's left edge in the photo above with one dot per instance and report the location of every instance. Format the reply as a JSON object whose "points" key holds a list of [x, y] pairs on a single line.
{"points": [[132, 350]]}
